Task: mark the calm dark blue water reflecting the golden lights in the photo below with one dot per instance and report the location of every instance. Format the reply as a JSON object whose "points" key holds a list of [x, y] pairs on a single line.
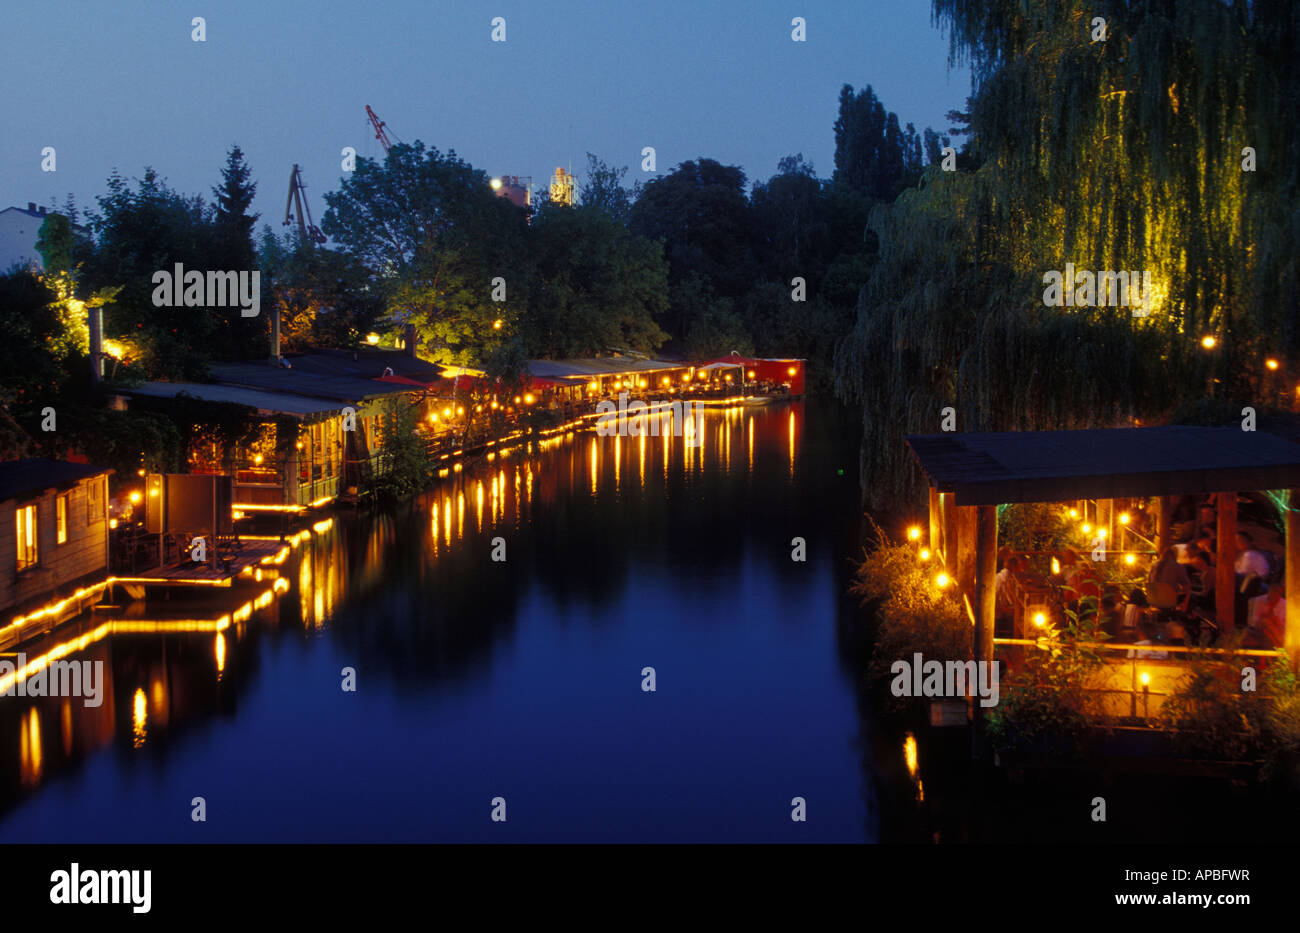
{"points": [[518, 679]]}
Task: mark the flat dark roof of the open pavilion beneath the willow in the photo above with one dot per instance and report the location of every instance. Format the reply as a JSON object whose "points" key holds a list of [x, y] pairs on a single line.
{"points": [[989, 470]]}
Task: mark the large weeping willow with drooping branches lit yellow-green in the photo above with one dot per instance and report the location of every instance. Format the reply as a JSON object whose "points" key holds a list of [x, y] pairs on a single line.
{"points": [[1116, 154]]}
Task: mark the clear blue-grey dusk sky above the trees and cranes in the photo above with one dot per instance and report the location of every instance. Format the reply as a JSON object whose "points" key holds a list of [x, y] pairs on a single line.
{"points": [[124, 86]]}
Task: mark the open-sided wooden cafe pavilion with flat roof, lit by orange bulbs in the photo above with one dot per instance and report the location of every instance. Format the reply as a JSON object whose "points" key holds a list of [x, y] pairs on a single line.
{"points": [[970, 476]]}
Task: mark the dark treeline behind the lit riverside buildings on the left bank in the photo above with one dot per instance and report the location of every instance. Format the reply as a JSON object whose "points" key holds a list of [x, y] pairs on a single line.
{"points": [[696, 262]]}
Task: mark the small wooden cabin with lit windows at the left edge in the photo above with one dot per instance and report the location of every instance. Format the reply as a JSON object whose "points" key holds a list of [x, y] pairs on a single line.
{"points": [[54, 530]]}
